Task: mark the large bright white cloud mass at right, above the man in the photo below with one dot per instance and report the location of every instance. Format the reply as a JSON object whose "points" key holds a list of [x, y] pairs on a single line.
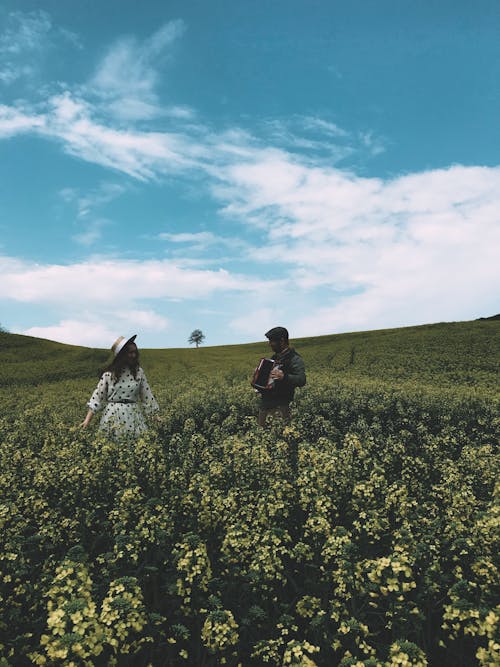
{"points": [[415, 249]]}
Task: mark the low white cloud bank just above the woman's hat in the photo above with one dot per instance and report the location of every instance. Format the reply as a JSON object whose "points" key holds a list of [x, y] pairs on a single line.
{"points": [[97, 300]]}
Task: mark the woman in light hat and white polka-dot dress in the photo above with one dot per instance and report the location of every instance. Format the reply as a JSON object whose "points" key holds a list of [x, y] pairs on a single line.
{"points": [[122, 384]]}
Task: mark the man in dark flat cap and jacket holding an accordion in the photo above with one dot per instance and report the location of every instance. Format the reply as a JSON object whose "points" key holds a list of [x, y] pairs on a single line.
{"points": [[289, 373]]}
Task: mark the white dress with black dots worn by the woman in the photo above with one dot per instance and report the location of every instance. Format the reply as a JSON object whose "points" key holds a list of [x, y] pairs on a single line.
{"points": [[120, 400]]}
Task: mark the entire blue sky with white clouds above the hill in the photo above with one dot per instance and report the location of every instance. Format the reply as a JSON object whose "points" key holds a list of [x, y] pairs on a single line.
{"points": [[234, 165]]}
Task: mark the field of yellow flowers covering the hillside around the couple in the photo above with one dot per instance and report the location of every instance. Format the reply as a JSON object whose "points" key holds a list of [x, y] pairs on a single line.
{"points": [[364, 533]]}
